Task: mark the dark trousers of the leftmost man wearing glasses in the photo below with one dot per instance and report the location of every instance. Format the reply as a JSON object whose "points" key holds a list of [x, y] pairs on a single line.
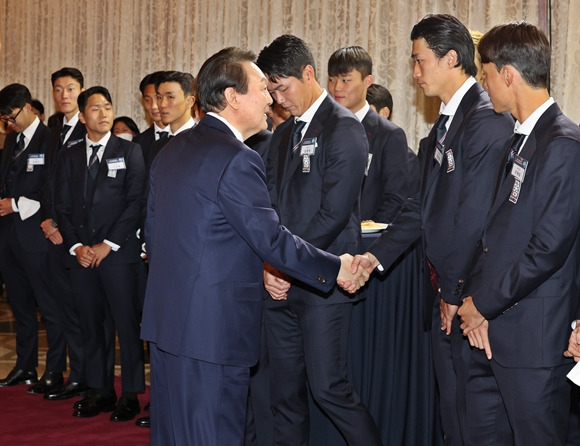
{"points": [[27, 284]]}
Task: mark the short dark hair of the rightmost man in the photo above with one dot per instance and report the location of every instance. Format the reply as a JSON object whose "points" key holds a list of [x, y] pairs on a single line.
{"points": [[521, 45]]}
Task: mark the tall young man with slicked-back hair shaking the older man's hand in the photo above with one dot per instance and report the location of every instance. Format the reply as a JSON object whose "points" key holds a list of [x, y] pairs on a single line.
{"points": [[459, 162]]}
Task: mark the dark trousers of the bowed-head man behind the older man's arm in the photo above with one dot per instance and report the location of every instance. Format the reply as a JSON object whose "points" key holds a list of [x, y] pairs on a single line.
{"points": [[307, 347]]}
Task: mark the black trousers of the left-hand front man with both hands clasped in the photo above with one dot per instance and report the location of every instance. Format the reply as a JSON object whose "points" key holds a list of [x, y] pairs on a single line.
{"points": [[106, 299]]}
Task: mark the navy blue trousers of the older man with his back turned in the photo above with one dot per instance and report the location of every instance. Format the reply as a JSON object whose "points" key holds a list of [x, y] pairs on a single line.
{"points": [[195, 402]]}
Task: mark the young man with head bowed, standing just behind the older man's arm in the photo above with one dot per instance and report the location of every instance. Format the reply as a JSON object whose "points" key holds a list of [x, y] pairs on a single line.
{"points": [[316, 164]]}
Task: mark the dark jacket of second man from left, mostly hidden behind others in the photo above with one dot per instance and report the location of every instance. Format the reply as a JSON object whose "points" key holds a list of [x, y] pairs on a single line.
{"points": [[54, 152]]}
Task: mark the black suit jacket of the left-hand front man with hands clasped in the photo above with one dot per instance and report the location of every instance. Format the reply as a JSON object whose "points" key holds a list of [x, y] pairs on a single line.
{"points": [[116, 203]]}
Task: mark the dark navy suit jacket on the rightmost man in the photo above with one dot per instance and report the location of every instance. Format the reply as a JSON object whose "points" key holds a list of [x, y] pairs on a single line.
{"points": [[525, 274]]}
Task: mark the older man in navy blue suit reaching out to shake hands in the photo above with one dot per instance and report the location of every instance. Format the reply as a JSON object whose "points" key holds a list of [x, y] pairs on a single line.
{"points": [[206, 249]]}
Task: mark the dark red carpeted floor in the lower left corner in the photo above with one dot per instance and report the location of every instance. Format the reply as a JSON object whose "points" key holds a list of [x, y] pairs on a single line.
{"points": [[30, 420]]}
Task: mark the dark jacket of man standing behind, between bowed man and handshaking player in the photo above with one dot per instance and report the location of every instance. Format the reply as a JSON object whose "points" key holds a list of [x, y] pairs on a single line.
{"points": [[388, 182]]}
